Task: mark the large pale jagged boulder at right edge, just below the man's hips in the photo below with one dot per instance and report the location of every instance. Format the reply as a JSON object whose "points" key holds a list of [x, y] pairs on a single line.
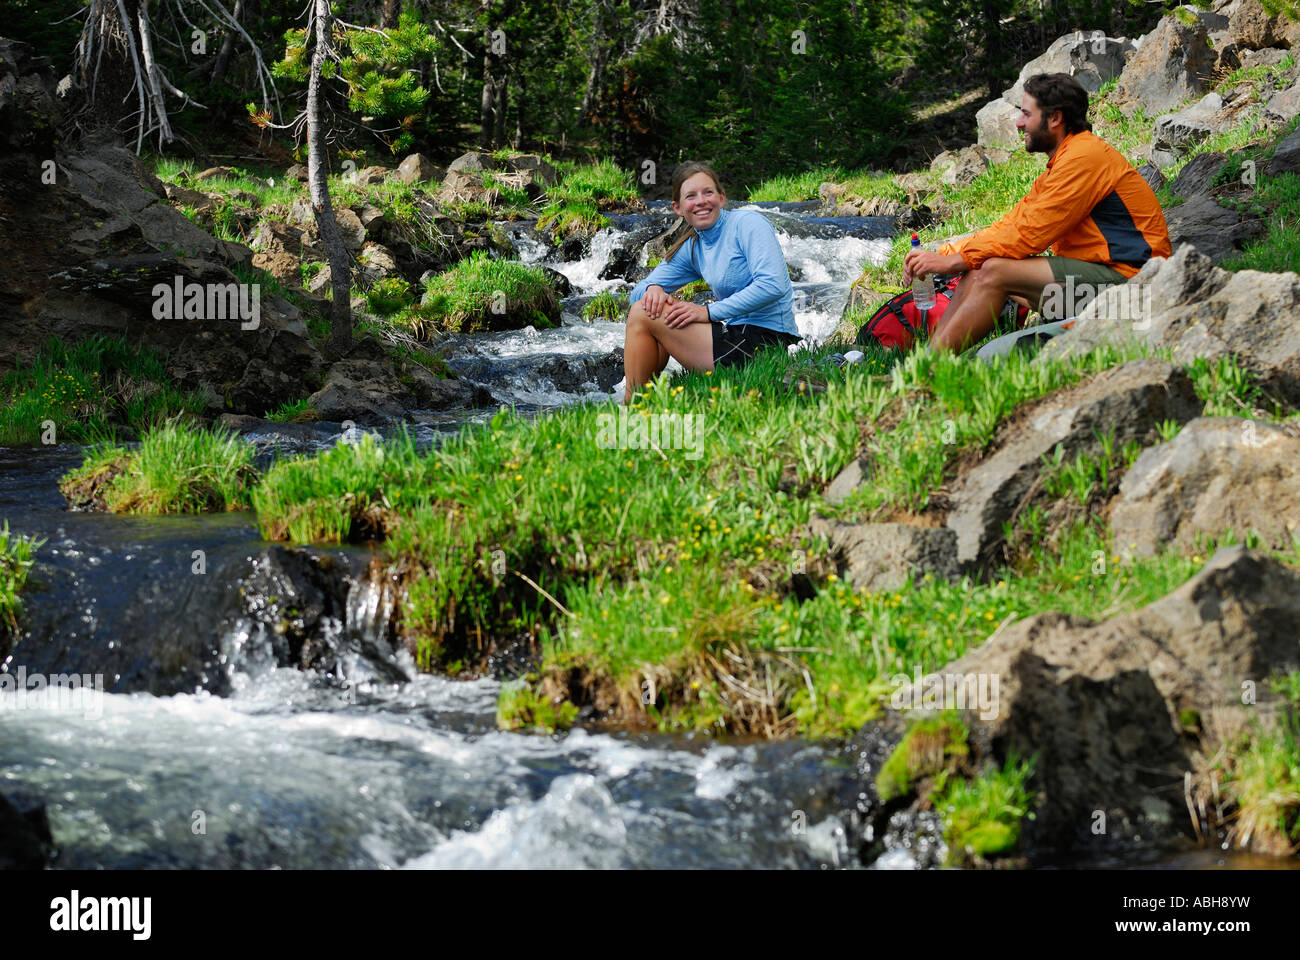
{"points": [[1195, 309]]}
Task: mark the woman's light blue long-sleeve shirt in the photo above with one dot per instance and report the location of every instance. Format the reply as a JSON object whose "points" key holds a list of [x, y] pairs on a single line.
{"points": [[742, 261]]}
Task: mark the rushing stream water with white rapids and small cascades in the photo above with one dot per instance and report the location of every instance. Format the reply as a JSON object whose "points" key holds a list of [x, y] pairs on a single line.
{"points": [[203, 745]]}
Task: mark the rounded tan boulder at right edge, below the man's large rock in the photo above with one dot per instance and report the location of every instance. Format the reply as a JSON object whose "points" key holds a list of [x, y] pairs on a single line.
{"points": [[1217, 475]]}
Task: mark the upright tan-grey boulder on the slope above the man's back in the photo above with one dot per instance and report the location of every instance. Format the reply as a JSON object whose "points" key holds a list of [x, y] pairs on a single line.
{"points": [[1173, 64]]}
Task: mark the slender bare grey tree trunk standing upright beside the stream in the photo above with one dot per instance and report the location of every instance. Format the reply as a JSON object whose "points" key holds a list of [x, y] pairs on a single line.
{"points": [[340, 262]]}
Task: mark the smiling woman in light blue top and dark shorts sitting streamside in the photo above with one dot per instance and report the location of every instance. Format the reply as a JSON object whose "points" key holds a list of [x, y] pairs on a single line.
{"points": [[738, 256]]}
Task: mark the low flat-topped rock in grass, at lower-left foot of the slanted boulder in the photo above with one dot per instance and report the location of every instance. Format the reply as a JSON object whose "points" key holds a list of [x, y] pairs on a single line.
{"points": [[879, 557]]}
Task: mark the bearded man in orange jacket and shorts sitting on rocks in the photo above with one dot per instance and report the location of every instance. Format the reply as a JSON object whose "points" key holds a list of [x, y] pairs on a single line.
{"points": [[1090, 206]]}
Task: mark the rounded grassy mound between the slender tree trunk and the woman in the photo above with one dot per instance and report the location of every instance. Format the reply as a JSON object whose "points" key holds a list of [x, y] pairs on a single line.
{"points": [[462, 299]]}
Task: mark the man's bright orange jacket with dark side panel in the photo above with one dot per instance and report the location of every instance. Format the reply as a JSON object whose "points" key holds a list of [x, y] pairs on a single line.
{"points": [[1090, 205]]}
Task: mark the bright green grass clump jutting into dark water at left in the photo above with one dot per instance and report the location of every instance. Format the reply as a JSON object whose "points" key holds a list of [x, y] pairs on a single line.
{"points": [[176, 470]]}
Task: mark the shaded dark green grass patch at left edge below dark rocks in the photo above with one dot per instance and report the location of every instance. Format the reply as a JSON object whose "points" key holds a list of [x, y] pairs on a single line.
{"points": [[89, 391]]}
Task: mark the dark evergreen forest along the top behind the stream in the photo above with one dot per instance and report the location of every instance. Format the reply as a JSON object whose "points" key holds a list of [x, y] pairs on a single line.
{"points": [[731, 81]]}
